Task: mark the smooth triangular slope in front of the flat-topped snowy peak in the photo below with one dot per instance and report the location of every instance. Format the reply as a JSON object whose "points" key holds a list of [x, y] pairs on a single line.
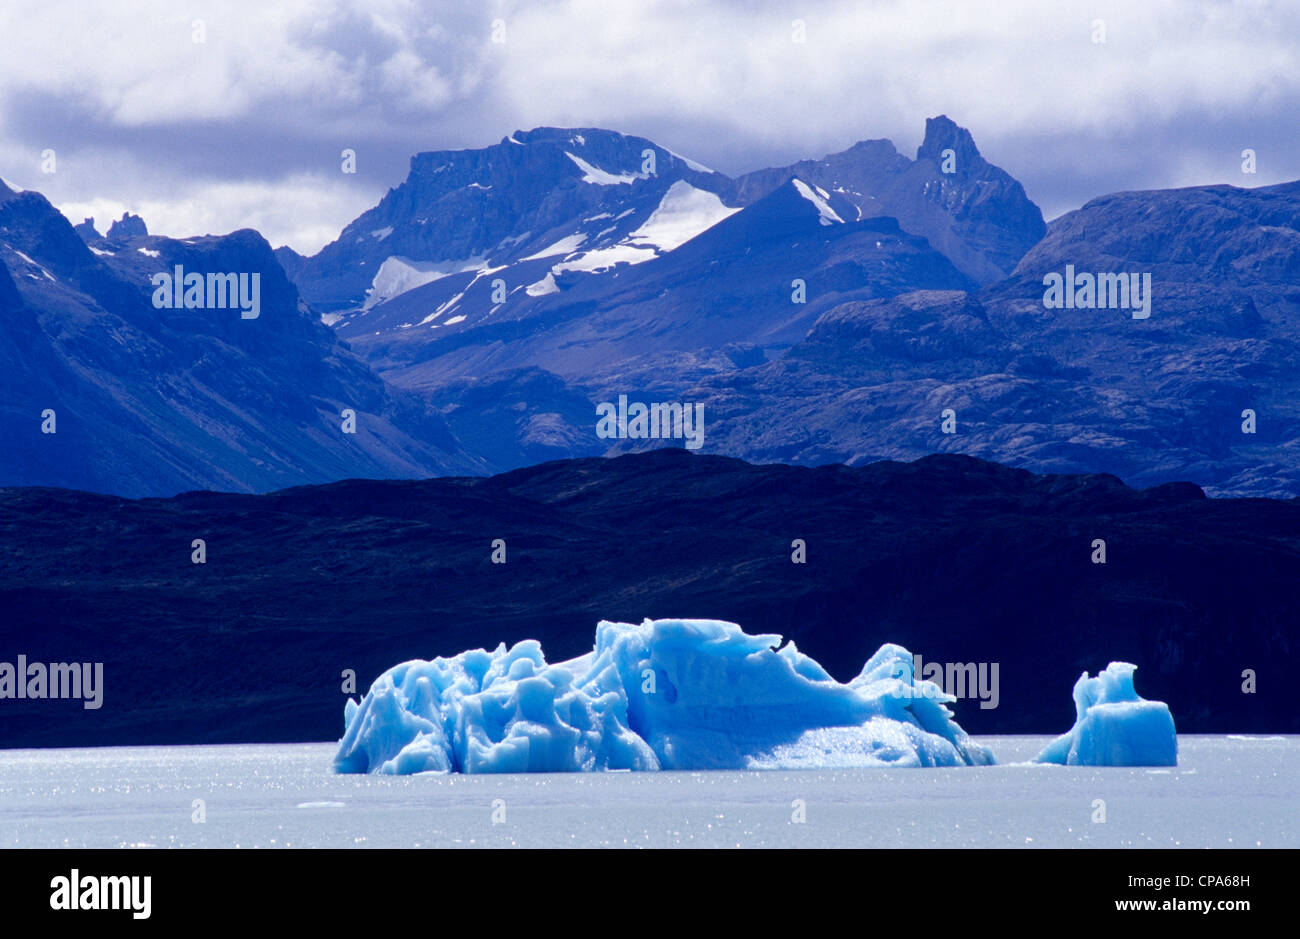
{"points": [[751, 285]]}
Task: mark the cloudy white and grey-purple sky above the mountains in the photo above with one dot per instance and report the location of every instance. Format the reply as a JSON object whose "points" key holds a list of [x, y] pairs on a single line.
{"points": [[246, 127]]}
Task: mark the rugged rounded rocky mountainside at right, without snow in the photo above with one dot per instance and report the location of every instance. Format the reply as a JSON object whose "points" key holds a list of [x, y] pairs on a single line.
{"points": [[1204, 390]]}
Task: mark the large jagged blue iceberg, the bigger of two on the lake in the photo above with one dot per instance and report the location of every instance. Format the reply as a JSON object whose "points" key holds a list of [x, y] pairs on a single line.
{"points": [[665, 695]]}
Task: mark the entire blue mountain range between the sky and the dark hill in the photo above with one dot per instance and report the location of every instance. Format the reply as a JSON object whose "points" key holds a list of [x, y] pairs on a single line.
{"points": [[860, 308]]}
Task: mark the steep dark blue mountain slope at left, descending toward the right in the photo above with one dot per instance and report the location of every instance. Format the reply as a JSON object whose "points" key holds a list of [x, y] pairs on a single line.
{"points": [[150, 401]]}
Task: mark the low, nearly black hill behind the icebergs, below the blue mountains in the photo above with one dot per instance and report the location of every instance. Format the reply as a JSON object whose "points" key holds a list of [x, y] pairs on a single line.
{"points": [[959, 560]]}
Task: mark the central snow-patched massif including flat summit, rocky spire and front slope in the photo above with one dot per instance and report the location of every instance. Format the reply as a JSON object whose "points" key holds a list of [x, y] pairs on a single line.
{"points": [[614, 265]]}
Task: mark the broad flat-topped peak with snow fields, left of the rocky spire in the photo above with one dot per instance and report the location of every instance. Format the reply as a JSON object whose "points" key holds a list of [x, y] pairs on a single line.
{"points": [[593, 197]]}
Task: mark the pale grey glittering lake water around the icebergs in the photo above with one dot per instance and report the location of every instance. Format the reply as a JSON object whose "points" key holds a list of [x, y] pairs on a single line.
{"points": [[1227, 793]]}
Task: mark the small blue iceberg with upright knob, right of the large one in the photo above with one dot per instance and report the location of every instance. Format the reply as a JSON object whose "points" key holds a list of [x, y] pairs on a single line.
{"points": [[1115, 726]]}
